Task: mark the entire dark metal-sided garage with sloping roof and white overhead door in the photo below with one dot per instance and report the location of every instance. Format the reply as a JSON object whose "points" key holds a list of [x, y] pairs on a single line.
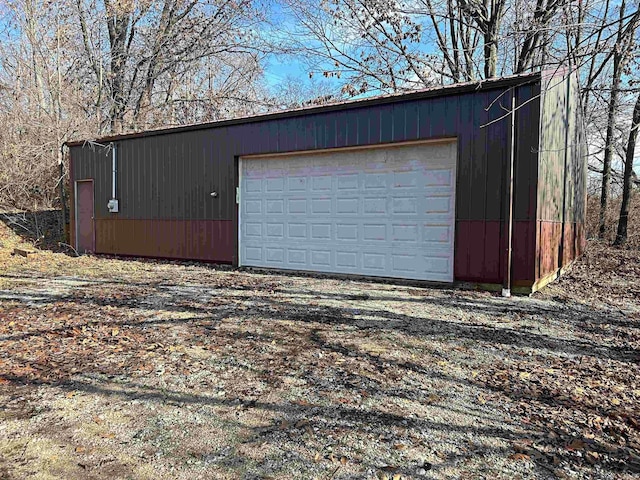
{"points": [[479, 183]]}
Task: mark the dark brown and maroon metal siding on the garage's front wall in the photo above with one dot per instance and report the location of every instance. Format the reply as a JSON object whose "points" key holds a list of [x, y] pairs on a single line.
{"points": [[169, 177]]}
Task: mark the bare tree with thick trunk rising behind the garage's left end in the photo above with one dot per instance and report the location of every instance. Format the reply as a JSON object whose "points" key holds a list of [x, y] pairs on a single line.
{"points": [[152, 43]]}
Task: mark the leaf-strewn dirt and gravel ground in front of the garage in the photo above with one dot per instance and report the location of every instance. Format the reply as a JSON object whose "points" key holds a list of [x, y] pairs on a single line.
{"points": [[156, 370]]}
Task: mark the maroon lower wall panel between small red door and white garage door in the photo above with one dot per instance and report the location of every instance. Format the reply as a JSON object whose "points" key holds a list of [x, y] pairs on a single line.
{"points": [[208, 240]]}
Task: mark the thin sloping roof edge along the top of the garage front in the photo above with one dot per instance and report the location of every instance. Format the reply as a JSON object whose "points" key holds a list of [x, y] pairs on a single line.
{"points": [[457, 88]]}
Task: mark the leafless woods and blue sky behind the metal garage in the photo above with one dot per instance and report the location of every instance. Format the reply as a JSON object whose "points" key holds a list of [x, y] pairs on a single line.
{"points": [[85, 68]]}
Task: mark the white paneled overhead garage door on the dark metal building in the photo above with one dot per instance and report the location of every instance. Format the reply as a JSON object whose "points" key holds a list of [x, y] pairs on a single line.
{"points": [[382, 212]]}
